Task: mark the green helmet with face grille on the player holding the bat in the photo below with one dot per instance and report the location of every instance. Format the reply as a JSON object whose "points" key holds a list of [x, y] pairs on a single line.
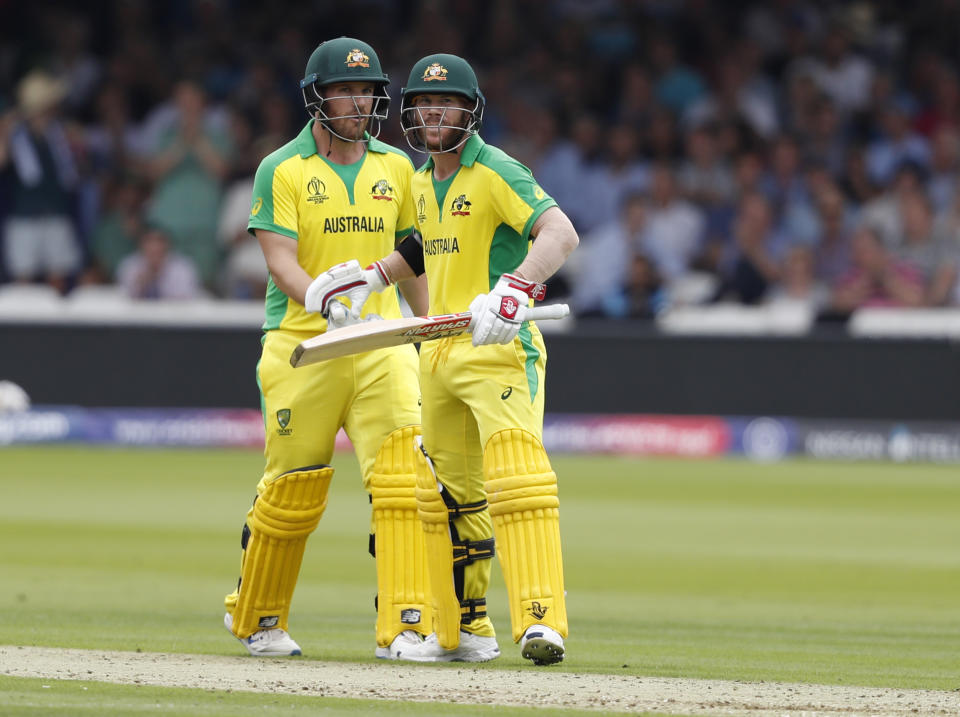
{"points": [[434, 75]]}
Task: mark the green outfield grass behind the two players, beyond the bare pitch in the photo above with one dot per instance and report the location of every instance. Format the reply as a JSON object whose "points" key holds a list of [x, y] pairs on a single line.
{"points": [[800, 571]]}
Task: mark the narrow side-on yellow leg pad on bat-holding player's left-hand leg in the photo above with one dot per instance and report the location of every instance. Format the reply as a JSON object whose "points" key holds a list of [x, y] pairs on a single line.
{"points": [[435, 519]]}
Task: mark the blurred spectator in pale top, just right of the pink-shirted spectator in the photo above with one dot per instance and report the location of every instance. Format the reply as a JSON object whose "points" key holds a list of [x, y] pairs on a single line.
{"points": [[933, 257]]}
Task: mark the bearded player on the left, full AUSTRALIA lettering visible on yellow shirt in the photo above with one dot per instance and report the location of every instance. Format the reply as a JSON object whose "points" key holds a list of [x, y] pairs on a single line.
{"points": [[333, 194]]}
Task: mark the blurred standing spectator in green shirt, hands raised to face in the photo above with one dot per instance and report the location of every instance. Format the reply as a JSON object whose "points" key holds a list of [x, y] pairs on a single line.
{"points": [[188, 166]]}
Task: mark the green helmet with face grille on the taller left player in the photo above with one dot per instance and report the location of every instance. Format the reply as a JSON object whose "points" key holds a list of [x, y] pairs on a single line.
{"points": [[345, 59]]}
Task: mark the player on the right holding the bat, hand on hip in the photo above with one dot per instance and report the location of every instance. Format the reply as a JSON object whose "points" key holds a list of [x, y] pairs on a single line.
{"points": [[483, 461]]}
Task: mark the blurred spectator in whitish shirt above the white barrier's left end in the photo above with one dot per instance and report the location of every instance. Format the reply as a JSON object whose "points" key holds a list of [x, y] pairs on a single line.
{"points": [[674, 227]]}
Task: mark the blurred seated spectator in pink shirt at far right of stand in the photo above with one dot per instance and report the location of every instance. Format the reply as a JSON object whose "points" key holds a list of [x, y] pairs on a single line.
{"points": [[876, 278]]}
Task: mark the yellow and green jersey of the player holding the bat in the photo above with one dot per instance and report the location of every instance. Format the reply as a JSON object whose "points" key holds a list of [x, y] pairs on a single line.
{"points": [[475, 224]]}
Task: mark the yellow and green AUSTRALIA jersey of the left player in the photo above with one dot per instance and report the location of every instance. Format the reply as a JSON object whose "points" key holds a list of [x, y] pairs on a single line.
{"points": [[336, 213]]}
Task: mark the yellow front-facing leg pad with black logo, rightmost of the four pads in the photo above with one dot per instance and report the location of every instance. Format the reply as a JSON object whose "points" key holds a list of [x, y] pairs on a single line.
{"points": [[522, 493]]}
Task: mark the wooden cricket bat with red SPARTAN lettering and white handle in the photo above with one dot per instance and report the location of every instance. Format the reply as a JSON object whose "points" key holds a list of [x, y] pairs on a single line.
{"points": [[371, 335]]}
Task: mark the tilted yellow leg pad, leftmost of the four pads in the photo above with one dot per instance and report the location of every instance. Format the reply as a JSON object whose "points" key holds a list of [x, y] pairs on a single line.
{"points": [[283, 516]]}
